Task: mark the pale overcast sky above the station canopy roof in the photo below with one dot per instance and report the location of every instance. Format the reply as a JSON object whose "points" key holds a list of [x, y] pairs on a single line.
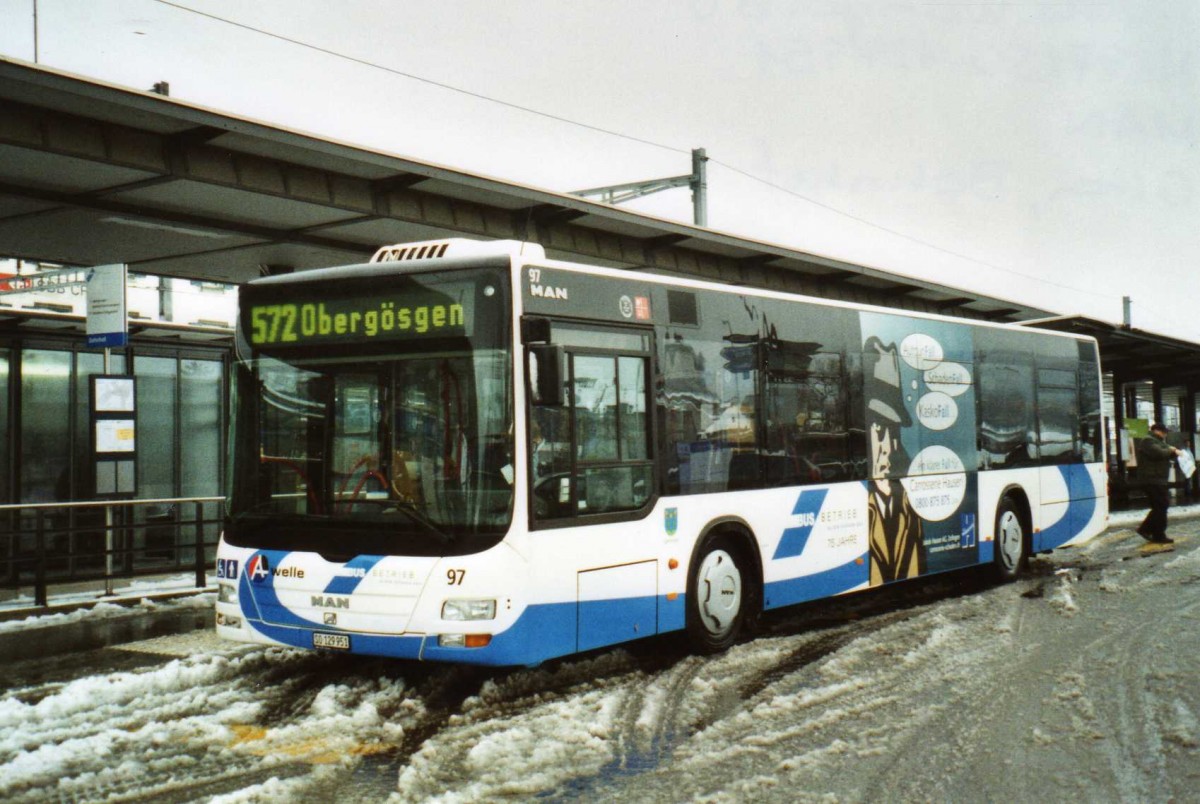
{"points": [[1039, 152]]}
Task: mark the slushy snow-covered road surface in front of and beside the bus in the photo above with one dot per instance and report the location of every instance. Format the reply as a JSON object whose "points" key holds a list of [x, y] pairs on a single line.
{"points": [[1075, 683]]}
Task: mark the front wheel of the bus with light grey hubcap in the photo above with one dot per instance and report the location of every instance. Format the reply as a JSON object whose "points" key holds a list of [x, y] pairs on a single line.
{"points": [[719, 596]]}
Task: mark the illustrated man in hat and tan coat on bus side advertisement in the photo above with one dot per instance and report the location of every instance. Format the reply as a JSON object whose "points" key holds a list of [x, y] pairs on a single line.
{"points": [[896, 535]]}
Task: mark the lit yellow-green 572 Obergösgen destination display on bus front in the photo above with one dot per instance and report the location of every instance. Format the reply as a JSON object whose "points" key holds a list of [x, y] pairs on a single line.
{"points": [[362, 319]]}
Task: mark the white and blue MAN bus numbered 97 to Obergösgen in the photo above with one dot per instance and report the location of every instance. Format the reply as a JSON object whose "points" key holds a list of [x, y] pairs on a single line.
{"points": [[465, 452]]}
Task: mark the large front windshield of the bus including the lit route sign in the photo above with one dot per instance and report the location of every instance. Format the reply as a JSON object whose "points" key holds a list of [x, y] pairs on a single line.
{"points": [[373, 417]]}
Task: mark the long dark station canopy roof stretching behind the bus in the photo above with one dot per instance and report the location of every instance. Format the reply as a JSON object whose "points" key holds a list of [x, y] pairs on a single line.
{"points": [[92, 173]]}
